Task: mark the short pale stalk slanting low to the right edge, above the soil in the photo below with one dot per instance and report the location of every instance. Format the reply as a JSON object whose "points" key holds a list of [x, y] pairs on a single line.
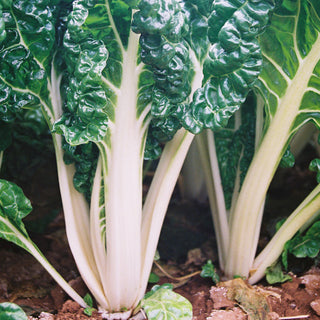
{"points": [[305, 213]]}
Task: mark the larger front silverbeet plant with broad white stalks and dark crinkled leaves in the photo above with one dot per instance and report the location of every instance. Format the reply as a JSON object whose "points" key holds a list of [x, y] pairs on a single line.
{"points": [[118, 82]]}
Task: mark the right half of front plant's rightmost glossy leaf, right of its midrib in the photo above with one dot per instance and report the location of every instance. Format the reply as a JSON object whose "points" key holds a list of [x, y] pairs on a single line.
{"points": [[232, 65]]}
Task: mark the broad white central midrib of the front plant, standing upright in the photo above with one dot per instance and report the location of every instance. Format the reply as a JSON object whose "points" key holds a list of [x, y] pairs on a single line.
{"points": [[123, 190]]}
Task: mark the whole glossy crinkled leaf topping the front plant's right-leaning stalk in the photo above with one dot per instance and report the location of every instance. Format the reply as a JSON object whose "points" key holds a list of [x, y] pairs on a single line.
{"points": [[222, 37]]}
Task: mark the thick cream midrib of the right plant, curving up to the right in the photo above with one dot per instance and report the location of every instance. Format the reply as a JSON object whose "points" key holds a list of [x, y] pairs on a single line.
{"points": [[263, 166]]}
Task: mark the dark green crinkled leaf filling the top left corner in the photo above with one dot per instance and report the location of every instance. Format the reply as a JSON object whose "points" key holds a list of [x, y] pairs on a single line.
{"points": [[26, 53]]}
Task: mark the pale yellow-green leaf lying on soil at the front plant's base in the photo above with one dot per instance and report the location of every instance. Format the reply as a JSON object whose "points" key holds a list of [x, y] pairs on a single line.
{"points": [[163, 303]]}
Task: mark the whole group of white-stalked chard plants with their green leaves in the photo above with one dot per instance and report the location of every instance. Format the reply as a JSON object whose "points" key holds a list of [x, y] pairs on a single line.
{"points": [[117, 82]]}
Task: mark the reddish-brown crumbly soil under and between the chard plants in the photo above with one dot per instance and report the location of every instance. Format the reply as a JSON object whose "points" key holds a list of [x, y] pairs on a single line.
{"points": [[24, 282]]}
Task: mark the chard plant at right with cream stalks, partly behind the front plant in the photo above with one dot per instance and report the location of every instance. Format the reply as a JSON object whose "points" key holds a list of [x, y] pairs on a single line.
{"points": [[285, 98]]}
